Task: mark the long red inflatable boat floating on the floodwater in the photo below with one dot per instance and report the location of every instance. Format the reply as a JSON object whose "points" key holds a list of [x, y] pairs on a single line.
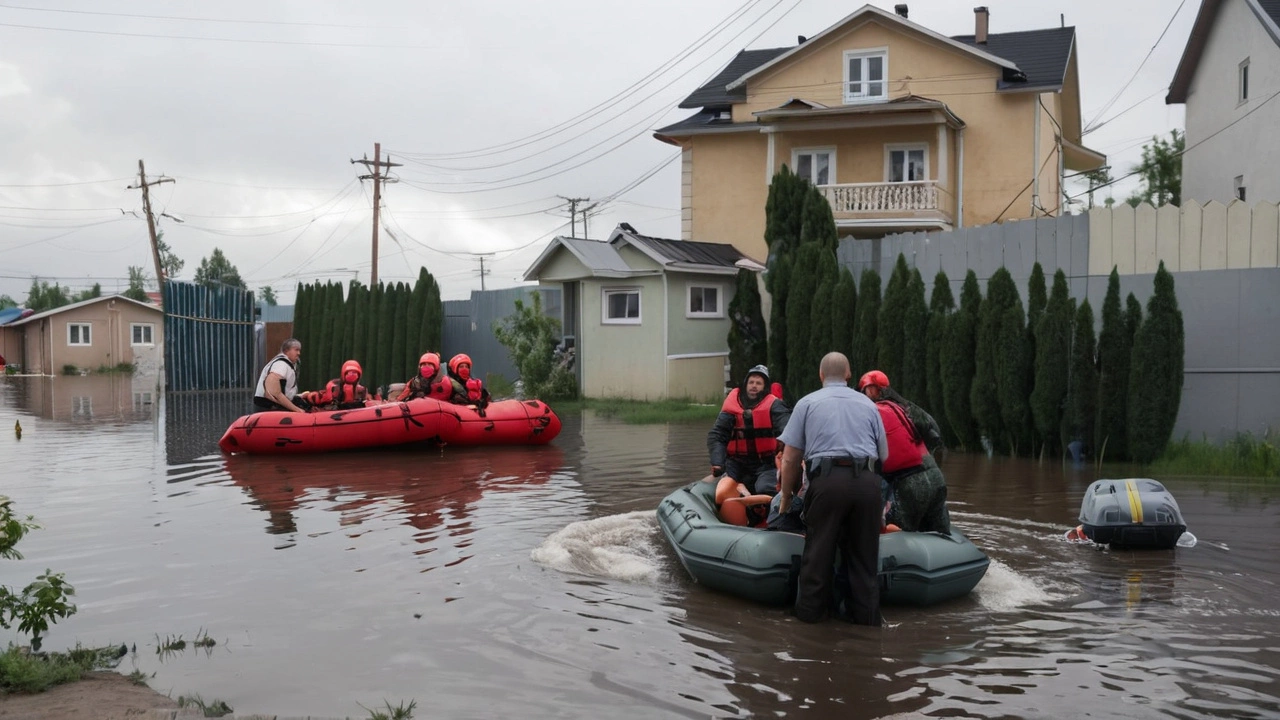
{"points": [[508, 422]]}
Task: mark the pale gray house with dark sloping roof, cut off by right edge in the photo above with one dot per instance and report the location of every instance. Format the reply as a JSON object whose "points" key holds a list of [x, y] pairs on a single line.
{"points": [[1229, 79]]}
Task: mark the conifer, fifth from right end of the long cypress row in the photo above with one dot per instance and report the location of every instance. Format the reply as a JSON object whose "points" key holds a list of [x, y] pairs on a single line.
{"points": [[1053, 364]]}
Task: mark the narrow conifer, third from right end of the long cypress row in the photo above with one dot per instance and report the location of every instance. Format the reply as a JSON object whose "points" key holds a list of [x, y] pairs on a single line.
{"points": [[1114, 349]]}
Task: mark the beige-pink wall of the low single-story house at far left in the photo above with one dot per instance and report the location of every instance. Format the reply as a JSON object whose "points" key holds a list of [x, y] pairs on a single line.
{"points": [[47, 348]]}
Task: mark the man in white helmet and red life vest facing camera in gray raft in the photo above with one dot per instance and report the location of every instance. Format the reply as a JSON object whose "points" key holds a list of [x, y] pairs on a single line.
{"points": [[743, 444]]}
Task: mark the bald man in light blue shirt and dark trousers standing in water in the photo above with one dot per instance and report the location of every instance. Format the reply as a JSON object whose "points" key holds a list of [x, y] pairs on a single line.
{"points": [[839, 434]]}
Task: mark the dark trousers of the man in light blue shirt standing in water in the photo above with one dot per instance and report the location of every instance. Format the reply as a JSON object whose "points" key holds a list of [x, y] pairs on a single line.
{"points": [[843, 513]]}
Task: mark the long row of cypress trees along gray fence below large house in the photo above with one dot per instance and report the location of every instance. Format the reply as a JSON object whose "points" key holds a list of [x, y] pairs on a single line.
{"points": [[1030, 380]]}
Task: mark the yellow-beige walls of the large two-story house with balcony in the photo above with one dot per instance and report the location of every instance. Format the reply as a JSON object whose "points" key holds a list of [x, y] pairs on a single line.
{"points": [[726, 179]]}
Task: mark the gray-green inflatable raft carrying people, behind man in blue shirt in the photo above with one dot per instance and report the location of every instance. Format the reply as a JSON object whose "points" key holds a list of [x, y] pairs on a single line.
{"points": [[762, 566]]}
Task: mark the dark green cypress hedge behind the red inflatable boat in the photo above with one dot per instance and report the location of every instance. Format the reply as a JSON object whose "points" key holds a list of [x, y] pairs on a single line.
{"points": [[386, 329]]}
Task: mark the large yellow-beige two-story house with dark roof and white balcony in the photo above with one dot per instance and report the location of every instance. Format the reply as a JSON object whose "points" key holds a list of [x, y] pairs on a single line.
{"points": [[900, 127]]}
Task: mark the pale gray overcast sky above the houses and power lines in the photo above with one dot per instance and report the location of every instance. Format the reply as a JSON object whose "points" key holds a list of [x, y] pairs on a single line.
{"points": [[495, 110]]}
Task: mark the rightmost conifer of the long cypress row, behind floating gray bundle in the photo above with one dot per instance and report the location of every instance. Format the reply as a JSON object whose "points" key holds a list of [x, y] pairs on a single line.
{"points": [[1156, 381]]}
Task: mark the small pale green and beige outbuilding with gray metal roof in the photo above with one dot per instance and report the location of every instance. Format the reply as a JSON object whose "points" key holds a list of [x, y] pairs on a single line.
{"points": [[647, 317]]}
